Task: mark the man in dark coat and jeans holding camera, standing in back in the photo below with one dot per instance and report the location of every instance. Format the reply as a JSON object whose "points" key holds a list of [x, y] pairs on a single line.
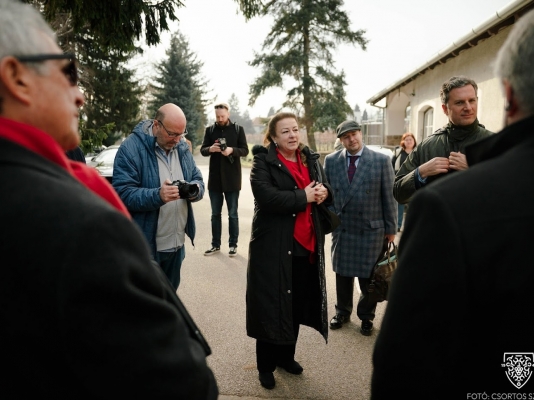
{"points": [[225, 143]]}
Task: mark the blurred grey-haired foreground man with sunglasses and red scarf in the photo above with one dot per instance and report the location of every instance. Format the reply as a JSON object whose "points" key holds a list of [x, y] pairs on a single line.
{"points": [[84, 312]]}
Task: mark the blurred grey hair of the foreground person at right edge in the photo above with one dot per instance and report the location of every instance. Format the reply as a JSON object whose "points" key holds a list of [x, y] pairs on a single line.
{"points": [[515, 60]]}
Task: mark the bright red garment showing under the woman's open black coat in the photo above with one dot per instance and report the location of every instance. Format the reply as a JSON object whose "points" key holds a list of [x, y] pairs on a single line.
{"points": [[304, 232]]}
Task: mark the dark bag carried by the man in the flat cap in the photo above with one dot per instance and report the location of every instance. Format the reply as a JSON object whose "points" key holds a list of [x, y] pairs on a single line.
{"points": [[386, 264]]}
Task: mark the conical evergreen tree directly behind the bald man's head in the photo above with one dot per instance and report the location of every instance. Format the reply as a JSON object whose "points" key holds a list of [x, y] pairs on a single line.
{"points": [[179, 81]]}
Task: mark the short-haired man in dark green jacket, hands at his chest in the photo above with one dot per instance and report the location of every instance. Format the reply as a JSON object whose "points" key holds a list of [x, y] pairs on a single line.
{"points": [[444, 151]]}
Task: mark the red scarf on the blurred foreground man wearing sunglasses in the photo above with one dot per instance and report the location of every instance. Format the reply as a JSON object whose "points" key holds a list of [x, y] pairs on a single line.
{"points": [[43, 144]]}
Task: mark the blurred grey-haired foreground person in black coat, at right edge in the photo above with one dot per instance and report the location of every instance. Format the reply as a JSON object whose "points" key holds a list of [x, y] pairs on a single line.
{"points": [[458, 318]]}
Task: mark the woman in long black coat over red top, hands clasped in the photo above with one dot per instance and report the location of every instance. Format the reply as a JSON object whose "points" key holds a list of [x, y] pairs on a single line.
{"points": [[285, 278]]}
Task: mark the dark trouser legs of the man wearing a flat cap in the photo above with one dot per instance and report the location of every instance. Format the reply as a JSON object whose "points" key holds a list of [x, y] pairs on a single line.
{"points": [[344, 295]]}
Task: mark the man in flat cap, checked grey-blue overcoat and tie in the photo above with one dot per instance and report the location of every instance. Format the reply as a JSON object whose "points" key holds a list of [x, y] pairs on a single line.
{"points": [[362, 183]]}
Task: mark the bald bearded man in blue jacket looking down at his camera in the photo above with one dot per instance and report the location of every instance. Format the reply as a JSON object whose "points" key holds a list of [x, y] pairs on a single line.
{"points": [[147, 163]]}
